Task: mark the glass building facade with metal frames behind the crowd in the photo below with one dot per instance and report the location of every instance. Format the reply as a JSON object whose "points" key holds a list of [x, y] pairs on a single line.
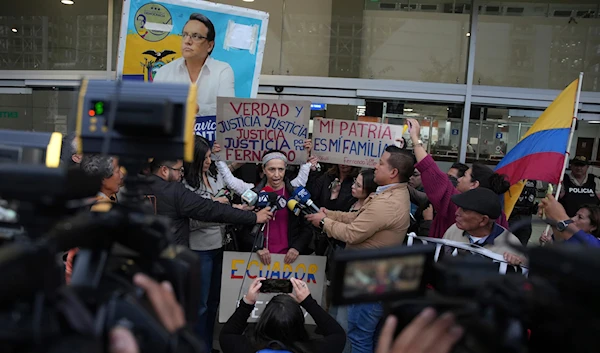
{"points": [[475, 73]]}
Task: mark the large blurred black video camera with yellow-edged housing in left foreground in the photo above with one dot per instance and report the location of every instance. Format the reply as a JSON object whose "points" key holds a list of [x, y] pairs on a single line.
{"points": [[134, 121]]}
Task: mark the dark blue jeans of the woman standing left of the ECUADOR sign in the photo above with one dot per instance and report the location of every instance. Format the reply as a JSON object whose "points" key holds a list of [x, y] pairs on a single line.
{"points": [[211, 267]]}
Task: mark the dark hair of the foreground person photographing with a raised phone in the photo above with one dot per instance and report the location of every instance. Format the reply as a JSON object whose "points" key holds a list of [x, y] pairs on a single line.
{"points": [[281, 321]]}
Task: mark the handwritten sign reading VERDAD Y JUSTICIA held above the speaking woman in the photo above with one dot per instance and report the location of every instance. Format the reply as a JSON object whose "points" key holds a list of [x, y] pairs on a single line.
{"points": [[247, 128]]}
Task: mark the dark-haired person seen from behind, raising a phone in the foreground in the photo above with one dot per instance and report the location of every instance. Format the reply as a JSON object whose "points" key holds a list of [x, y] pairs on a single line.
{"points": [[281, 324]]}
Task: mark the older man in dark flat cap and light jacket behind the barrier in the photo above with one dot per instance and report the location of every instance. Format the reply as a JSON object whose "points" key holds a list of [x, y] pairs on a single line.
{"points": [[478, 210]]}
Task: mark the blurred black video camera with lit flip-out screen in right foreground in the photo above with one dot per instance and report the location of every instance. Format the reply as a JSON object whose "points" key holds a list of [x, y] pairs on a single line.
{"points": [[553, 309]]}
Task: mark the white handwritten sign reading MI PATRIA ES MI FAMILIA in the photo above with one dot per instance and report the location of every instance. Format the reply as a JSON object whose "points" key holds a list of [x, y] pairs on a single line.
{"points": [[355, 143]]}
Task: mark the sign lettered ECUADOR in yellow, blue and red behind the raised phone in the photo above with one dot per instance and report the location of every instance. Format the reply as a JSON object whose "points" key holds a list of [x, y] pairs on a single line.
{"points": [[238, 273]]}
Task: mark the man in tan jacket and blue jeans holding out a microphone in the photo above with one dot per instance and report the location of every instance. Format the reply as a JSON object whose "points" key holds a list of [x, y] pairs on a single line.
{"points": [[381, 222]]}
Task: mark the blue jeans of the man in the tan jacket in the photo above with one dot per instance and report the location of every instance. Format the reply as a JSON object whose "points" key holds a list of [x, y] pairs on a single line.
{"points": [[364, 323]]}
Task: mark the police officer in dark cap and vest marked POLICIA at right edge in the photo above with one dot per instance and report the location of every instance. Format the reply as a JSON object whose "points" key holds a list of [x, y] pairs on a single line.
{"points": [[579, 187]]}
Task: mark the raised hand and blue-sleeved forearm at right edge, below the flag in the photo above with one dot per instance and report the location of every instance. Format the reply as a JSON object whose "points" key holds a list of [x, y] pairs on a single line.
{"points": [[563, 226]]}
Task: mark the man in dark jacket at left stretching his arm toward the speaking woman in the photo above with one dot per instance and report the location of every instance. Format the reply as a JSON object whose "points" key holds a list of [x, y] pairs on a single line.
{"points": [[174, 200]]}
